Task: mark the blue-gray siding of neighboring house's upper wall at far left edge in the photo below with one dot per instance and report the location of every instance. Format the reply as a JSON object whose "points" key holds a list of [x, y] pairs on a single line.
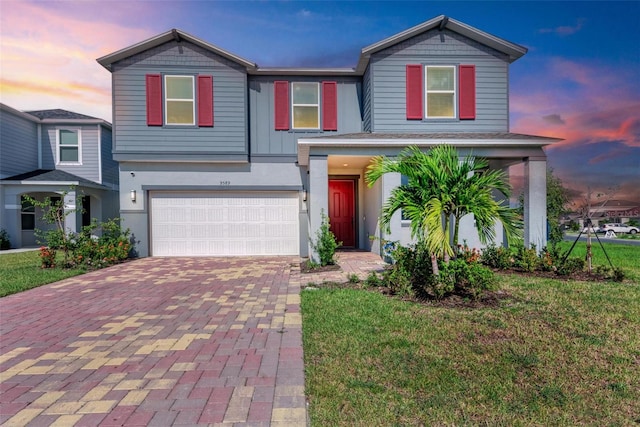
{"points": [[18, 144]]}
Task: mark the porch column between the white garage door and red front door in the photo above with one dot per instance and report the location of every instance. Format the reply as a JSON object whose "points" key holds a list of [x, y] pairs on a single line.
{"points": [[317, 198]]}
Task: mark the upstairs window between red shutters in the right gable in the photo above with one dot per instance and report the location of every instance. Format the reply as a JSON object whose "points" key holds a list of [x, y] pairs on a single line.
{"points": [[440, 88]]}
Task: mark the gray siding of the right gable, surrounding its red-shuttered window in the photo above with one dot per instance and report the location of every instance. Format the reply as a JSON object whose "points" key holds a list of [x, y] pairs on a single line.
{"points": [[388, 79]]}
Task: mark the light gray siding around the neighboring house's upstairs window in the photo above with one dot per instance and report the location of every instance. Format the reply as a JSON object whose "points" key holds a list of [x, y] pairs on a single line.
{"points": [[89, 167]]}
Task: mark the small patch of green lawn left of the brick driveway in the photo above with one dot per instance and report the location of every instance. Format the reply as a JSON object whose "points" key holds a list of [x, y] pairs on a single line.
{"points": [[21, 271]]}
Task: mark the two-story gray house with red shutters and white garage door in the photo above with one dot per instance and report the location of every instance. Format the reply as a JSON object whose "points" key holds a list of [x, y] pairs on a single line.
{"points": [[219, 156]]}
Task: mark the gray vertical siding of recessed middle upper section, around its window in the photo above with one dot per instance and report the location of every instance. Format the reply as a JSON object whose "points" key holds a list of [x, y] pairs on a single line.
{"points": [[265, 140]]}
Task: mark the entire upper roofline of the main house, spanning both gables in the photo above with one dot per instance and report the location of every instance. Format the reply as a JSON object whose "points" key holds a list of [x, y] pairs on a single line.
{"points": [[512, 50]]}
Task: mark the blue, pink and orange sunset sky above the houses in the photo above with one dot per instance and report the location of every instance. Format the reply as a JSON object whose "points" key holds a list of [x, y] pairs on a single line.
{"points": [[579, 81]]}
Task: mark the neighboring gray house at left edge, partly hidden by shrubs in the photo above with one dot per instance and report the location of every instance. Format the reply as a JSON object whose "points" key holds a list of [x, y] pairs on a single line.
{"points": [[45, 154]]}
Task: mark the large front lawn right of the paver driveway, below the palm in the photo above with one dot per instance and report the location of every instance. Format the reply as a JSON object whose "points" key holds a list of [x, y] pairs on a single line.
{"points": [[556, 353]]}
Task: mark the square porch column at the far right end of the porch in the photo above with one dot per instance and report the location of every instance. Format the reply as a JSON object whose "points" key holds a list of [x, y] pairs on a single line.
{"points": [[535, 202]]}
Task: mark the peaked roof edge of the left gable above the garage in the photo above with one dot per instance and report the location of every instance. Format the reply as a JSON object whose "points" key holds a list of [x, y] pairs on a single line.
{"points": [[173, 34]]}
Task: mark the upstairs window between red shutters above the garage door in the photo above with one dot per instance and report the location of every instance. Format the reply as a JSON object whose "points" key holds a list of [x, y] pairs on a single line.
{"points": [[179, 100]]}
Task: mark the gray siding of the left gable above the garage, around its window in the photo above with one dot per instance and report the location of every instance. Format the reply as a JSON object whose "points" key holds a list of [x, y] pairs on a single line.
{"points": [[131, 133]]}
